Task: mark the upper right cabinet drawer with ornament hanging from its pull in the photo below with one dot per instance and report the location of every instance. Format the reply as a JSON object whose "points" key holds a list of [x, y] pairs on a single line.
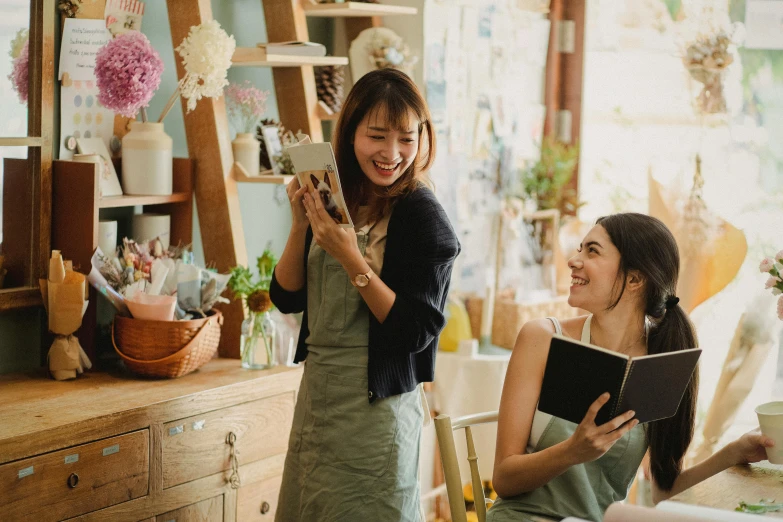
{"points": [[198, 446]]}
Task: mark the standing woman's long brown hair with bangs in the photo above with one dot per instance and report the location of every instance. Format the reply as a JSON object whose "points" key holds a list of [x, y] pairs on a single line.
{"points": [[394, 93]]}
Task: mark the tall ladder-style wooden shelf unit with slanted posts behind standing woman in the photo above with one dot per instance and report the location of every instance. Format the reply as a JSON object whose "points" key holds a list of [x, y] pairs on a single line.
{"points": [[208, 135]]}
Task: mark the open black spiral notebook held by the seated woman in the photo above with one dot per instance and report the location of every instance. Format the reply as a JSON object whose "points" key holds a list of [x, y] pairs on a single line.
{"points": [[577, 373]]}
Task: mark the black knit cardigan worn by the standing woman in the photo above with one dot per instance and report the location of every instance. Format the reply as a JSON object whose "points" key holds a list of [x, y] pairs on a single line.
{"points": [[421, 247]]}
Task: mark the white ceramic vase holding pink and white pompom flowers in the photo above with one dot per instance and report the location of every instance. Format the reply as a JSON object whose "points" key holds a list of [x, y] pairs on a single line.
{"points": [[146, 160]]}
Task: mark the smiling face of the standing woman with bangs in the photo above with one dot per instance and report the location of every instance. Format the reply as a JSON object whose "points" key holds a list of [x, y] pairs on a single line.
{"points": [[383, 152]]}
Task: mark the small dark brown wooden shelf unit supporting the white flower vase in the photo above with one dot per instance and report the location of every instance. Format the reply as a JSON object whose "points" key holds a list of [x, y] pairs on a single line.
{"points": [[76, 205]]}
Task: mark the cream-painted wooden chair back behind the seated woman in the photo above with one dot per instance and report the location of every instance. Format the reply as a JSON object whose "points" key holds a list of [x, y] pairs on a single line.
{"points": [[444, 428]]}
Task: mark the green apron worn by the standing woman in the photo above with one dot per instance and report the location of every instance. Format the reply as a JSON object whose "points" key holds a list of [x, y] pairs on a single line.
{"points": [[348, 460]]}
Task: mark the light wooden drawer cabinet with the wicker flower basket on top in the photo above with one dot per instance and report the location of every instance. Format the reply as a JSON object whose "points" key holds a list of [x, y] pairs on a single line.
{"points": [[112, 447]]}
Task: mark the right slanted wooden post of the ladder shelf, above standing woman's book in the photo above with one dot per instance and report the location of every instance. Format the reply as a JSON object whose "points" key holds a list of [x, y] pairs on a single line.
{"points": [[294, 87]]}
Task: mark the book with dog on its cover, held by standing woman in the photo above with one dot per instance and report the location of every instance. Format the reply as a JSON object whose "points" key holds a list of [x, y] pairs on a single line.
{"points": [[315, 167]]}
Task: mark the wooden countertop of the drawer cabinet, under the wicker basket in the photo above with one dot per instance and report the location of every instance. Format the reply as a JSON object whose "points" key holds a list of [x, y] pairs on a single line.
{"points": [[38, 412]]}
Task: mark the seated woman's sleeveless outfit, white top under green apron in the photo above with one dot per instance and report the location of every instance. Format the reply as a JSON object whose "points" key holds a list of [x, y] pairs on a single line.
{"points": [[585, 490]]}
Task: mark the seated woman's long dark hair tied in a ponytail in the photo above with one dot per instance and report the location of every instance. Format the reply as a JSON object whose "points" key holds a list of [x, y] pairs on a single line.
{"points": [[647, 246]]}
